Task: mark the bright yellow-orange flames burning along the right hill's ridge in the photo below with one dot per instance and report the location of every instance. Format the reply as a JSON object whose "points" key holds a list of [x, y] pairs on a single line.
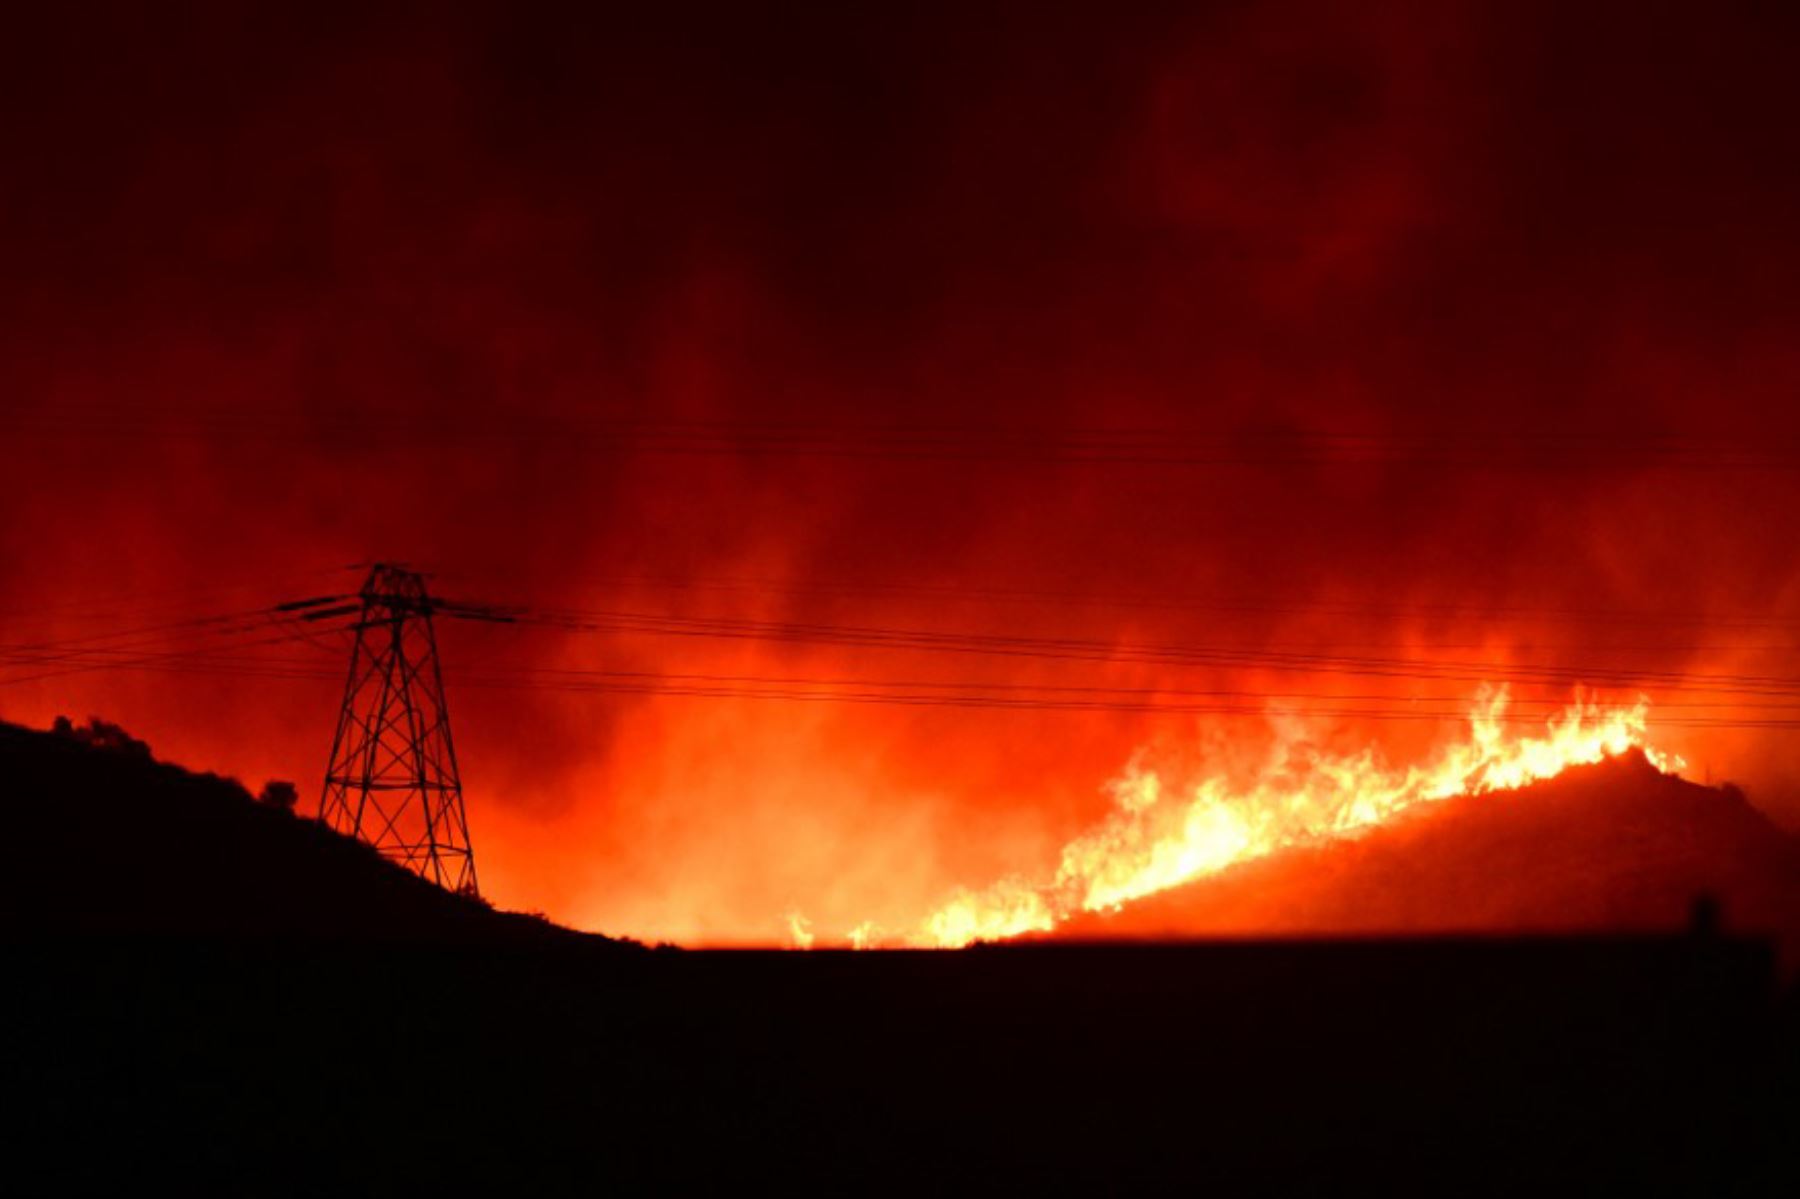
{"points": [[1160, 836]]}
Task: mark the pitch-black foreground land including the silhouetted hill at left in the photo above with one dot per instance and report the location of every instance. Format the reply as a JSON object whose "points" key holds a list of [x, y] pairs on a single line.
{"points": [[462, 1050]]}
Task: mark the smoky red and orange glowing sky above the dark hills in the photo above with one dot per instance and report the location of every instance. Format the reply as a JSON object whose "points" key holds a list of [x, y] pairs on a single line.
{"points": [[1444, 332]]}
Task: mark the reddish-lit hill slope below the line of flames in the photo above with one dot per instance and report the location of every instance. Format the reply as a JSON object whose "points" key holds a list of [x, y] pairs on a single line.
{"points": [[1617, 847]]}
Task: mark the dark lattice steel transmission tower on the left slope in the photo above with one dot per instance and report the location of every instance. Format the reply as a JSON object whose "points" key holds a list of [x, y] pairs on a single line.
{"points": [[393, 779]]}
